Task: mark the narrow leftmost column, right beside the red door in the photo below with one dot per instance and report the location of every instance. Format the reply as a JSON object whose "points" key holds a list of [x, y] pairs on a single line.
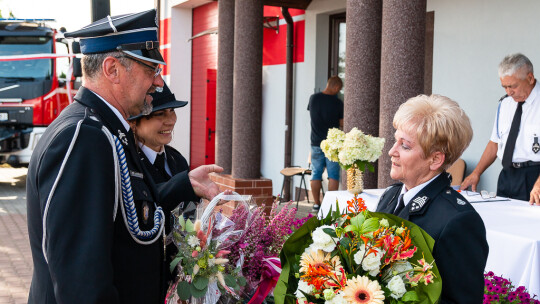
{"points": [[224, 107]]}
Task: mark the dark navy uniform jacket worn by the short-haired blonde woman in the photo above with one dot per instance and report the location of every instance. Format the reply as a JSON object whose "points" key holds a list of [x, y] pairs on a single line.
{"points": [[460, 249]]}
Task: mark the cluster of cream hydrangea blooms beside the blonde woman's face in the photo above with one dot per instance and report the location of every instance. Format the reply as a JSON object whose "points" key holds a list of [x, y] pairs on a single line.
{"points": [[352, 149]]}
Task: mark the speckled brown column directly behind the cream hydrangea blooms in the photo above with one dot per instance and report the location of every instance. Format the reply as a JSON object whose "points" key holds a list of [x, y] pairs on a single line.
{"points": [[362, 70]]}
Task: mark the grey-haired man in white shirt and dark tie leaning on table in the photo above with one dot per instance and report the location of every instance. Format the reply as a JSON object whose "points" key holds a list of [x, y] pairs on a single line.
{"points": [[514, 138]]}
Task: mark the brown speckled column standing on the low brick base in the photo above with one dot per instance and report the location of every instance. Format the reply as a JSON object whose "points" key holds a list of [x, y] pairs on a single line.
{"points": [[247, 87]]}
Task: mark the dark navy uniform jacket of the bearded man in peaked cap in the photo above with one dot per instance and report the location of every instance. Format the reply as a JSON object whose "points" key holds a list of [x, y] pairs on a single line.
{"points": [[92, 258]]}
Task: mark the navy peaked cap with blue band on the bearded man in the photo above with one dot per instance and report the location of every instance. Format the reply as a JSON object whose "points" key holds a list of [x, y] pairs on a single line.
{"points": [[133, 34]]}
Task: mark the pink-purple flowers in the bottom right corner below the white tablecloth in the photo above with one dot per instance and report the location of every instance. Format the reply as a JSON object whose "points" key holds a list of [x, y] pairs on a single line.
{"points": [[500, 290]]}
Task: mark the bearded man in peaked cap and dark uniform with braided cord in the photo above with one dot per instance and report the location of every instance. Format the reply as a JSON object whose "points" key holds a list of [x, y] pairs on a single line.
{"points": [[95, 217]]}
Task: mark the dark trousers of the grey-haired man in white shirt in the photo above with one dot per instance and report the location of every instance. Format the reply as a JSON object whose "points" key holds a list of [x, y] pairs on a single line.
{"points": [[517, 183]]}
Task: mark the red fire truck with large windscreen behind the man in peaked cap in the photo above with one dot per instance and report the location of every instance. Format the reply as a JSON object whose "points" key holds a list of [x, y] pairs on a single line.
{"points": [[35, 84]]}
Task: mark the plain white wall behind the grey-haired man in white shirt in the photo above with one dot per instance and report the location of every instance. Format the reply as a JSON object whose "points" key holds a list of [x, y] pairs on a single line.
{"points": [[470, 39]]}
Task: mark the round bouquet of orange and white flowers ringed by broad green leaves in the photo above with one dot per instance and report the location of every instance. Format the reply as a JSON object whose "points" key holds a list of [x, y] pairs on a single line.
{"points": [[358, 257]]}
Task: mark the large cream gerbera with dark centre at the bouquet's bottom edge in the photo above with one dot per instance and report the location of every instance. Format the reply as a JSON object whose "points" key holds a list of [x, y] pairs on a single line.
{"points": [[361, 290]]}
